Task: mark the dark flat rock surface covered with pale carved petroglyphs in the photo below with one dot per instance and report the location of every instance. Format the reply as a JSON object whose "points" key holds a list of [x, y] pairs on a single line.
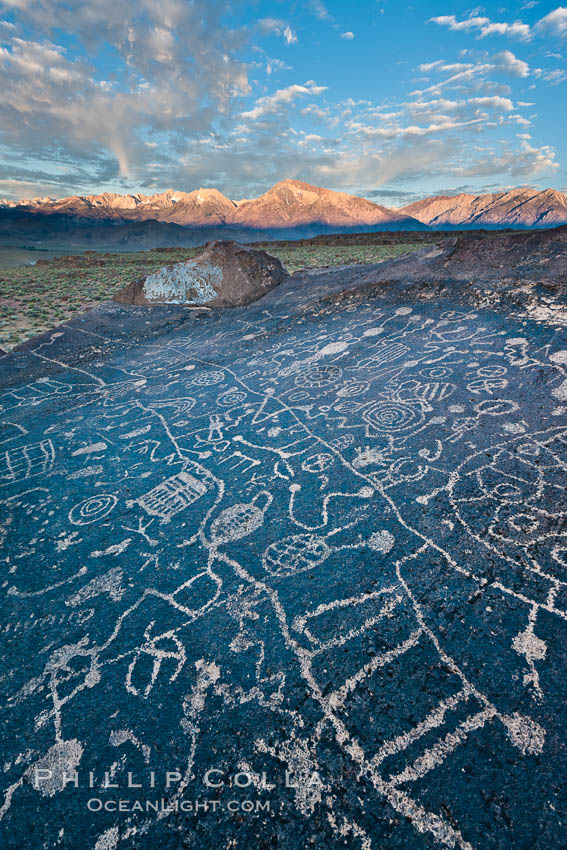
{"points": [[321, 538]]}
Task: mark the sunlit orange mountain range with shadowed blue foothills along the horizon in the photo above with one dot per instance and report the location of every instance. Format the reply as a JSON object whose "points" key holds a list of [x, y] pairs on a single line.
{"points": [[291, 209]]}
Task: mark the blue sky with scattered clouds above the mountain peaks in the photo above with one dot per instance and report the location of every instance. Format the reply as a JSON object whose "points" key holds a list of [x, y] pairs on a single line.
{"points": [[379, 98]]}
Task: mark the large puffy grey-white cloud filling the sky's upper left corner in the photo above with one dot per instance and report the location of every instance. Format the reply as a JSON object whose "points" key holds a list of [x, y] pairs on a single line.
{"points": [[172, 61]]}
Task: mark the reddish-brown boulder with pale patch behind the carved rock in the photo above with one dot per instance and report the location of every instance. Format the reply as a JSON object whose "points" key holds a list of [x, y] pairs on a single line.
{"points": [[226, 274]]}
